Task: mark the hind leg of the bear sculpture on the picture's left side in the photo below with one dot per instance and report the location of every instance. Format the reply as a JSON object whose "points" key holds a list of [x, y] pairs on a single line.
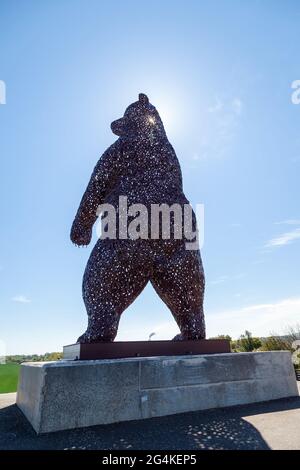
{"points": [[112, 280]]}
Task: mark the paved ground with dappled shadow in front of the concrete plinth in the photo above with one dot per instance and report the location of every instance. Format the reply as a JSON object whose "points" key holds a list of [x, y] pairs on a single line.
{"points": [[272, 425]]}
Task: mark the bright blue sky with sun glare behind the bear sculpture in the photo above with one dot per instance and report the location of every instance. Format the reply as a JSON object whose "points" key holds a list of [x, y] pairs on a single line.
{"points": [[220, 74]]}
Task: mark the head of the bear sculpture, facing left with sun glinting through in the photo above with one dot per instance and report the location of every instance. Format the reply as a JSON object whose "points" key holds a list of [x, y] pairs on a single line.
{"points": [[140, 120]]}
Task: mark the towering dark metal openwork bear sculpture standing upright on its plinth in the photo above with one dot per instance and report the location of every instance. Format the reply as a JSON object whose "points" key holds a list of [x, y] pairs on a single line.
{"points": [[143, 166]]}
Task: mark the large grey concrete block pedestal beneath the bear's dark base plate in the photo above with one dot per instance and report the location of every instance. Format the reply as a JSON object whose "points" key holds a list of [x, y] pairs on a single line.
{"points": [[70, 394]]}
